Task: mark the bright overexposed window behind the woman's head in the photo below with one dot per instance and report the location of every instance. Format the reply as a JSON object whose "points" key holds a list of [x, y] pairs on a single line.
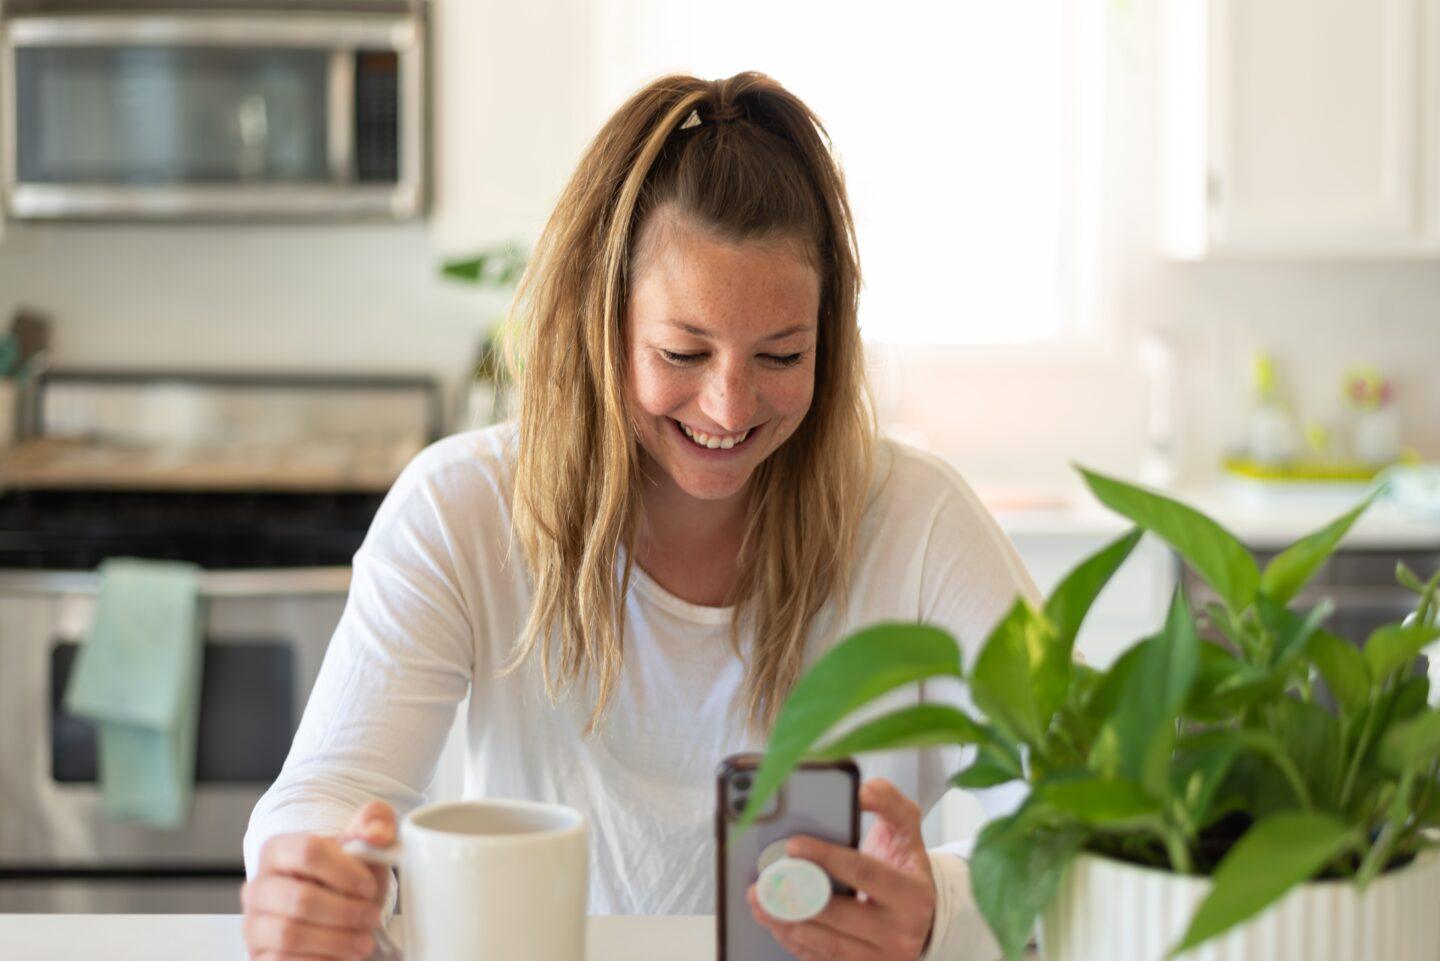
{"points": [[968, 132]]}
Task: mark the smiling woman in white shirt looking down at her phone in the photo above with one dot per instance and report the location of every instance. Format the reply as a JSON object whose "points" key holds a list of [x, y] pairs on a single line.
{"points": [[692, 509]]}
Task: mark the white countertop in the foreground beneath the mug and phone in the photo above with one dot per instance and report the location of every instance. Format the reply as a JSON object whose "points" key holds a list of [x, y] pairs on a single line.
{"points": [[218, 939]]}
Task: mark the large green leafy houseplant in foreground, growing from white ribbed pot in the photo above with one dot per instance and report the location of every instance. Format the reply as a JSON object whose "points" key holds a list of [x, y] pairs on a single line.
{"points": [[1269, 757]]}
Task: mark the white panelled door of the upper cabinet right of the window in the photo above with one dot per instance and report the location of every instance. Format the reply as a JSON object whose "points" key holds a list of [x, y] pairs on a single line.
{"points": [[1314, 125]]}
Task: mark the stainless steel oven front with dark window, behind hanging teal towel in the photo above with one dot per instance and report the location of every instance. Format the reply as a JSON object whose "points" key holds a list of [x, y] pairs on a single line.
{"points": [[266, 635]]}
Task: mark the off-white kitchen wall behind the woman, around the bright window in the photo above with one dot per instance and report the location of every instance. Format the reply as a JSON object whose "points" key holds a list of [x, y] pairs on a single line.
{"points": [[369, 298]]}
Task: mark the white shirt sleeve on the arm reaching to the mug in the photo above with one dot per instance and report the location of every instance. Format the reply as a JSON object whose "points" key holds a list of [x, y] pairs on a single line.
{"points": [[400, 663]]}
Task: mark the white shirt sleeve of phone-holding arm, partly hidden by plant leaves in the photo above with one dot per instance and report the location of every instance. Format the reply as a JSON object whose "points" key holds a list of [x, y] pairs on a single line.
{"points": [[971, 576]]}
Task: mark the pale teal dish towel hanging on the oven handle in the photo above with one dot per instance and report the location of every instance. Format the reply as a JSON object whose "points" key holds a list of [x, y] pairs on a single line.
{"points": [[138, 678]]}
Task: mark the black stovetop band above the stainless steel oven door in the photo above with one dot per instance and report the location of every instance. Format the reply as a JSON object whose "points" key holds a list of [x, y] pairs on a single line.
{"points": [[76, 531]]}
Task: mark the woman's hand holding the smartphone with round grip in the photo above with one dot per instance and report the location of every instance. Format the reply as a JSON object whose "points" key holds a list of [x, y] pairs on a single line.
{"points": [[891, 917]]}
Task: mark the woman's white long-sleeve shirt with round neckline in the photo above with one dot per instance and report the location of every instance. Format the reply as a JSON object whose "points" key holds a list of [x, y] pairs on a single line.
{"points": [[440, 596]]}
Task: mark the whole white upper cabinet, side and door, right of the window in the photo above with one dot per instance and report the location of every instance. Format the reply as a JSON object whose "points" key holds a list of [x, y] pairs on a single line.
{"points": [[1301, 129]]}
